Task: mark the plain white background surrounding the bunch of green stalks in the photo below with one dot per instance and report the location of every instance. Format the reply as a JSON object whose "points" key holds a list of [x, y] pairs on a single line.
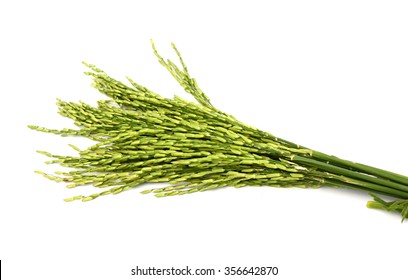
{"points": [[331, 75]]}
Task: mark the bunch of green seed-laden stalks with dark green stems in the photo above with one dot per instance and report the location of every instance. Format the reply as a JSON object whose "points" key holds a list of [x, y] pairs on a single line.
{"points": [[143, 137]]}
